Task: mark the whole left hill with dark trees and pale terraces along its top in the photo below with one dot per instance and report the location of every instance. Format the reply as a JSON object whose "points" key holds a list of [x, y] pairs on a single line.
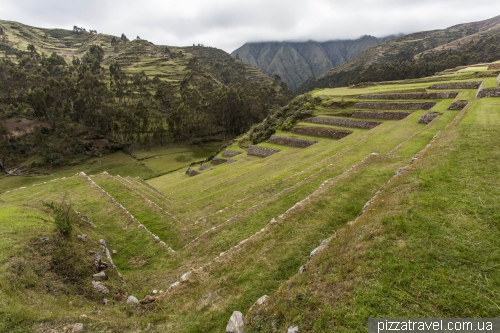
{"points": [[83, 86]]}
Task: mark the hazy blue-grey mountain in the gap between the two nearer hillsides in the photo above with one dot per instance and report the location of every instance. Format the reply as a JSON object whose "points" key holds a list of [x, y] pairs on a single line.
{"points": [[295, 62]]}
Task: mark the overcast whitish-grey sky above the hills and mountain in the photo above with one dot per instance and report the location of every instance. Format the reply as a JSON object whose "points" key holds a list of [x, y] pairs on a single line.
{"points": [[228, 24]]}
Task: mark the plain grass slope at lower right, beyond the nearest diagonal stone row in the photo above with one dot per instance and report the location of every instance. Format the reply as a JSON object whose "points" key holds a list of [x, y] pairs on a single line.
{"points": [[427, 248]]}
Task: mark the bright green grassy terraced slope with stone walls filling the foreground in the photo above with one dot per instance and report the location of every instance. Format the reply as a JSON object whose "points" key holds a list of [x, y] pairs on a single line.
{"points": [[319, 222]]}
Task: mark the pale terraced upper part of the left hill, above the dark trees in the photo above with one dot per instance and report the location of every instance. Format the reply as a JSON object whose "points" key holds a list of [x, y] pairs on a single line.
{"points": [[137, 55]]}
